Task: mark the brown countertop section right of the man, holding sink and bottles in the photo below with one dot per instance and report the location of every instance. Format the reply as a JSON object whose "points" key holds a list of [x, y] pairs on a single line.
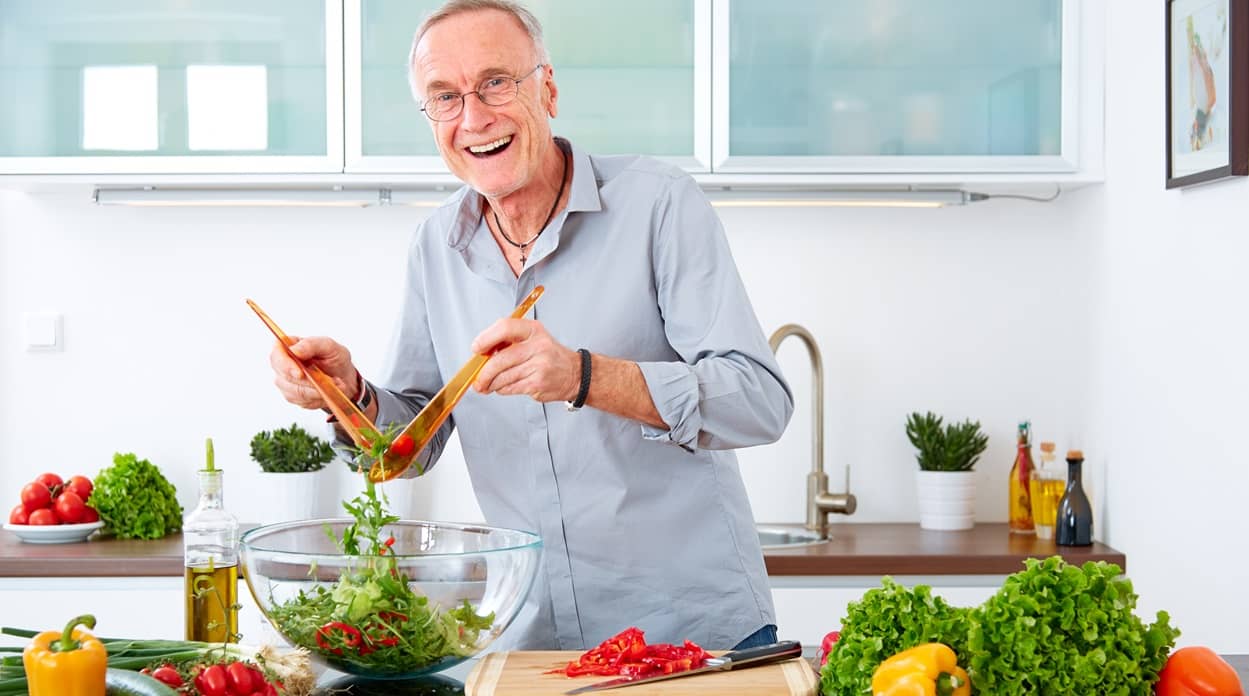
{"points": [[905, 549]]}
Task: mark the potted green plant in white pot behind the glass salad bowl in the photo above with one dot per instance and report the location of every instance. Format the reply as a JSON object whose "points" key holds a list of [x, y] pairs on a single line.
{"points": [[292, 462]]}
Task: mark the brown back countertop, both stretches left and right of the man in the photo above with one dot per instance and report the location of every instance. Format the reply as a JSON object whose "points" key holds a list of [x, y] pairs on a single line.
{"points": [[856, 549]]}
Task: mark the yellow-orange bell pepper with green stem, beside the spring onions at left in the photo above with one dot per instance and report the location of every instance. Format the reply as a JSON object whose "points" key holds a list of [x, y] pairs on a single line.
{"points": [[71, 663]]}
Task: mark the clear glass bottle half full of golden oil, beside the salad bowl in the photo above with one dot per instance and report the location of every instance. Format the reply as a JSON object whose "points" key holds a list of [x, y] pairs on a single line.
{"points": [[210, 553]]}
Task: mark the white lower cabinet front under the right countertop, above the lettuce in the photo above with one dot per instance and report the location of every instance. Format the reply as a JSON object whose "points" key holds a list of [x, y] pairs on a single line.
{"points": [[811, 607]]}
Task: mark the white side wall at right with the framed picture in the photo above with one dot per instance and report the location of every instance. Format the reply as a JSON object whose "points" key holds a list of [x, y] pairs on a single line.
{"points": [[1172, 375]]}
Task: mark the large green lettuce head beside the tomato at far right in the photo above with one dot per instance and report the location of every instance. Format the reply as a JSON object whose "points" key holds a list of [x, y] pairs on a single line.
{"points": [[1056, 628]]}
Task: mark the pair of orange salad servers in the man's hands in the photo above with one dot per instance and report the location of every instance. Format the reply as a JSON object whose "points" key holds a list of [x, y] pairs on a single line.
{"points": [[409, 443]]}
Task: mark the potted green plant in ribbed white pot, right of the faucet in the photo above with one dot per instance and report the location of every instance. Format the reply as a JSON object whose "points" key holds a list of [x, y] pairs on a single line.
{"points": [[946, 482]]}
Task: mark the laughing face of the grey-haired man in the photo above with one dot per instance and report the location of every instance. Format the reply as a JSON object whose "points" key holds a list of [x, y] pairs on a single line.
{"points": [[498, 151]]}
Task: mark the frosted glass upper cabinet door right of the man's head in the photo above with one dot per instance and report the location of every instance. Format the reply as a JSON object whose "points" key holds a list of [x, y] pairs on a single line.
{"points": [[895, 86]]}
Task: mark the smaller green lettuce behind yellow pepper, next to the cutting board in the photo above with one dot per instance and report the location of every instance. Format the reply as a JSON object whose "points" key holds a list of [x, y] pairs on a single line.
{"points": [[884, 623]]}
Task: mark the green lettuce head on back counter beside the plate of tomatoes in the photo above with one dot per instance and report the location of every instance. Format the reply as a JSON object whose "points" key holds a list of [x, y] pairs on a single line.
{"points": [[136, 500]]}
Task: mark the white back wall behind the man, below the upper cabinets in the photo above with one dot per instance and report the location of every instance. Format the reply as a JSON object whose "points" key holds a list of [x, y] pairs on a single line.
{"points": [[959, 311]]}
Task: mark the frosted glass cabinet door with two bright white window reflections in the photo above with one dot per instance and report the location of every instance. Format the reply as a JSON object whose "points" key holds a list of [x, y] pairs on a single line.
{"points": [[157, 87]]}
